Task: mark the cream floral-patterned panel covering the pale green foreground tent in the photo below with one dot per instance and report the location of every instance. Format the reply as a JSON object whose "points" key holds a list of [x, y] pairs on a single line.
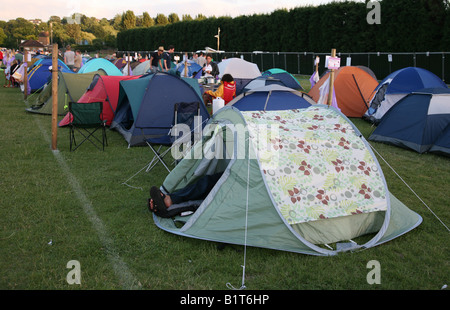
{"points": [[315, 164]]}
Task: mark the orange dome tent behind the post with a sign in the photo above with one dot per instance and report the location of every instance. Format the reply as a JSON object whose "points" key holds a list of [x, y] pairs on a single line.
{"points": [[353, 88]]}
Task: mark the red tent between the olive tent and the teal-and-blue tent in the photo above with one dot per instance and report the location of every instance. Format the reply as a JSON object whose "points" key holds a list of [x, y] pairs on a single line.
{"points": [[103, 89]]}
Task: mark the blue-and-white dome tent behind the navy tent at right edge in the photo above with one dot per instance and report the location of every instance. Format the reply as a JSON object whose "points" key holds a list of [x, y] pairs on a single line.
{"points": [[396, 86]]}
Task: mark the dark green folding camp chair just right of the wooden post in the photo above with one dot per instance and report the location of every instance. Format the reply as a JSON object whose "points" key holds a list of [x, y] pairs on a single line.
{"points": [[87, 118]]}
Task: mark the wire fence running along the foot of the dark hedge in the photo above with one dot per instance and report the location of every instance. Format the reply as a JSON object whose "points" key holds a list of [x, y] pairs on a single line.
{"points": [[381, 63]]}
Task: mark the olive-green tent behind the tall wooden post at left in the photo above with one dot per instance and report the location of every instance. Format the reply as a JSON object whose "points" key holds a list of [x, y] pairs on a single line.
{"points": [[70, 88]]}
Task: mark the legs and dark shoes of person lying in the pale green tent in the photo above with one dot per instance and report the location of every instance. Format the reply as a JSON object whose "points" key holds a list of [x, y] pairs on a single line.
{"points": [[187, 199]]}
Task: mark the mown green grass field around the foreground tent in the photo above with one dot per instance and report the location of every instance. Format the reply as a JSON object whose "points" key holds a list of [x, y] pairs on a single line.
{"points": [[62, 206]]}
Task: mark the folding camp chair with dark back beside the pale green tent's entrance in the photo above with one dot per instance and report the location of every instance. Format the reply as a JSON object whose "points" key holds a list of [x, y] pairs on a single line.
{"points": [[184, 113]]}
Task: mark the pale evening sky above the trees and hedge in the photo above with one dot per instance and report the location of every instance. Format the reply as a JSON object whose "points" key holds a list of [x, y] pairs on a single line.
{"points": [[31, 9]]}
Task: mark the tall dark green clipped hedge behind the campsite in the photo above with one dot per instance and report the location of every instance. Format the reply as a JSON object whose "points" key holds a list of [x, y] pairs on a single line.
{"points": [[405, 26]]}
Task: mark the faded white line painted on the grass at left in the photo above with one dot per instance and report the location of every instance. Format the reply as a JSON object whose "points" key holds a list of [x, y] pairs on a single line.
{"points": [[127, 280]]}
